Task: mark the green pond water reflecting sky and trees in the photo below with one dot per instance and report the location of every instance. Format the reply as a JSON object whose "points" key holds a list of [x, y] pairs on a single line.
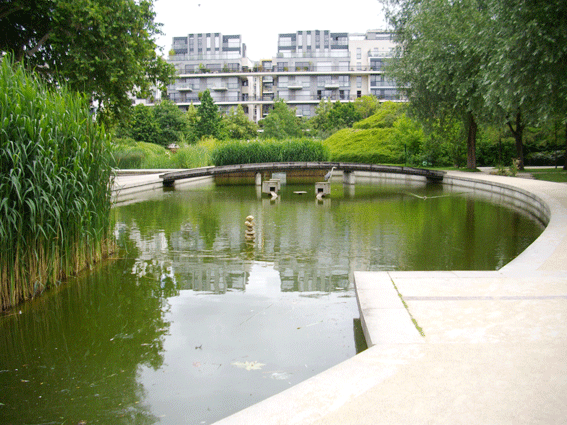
{"points": [[190, 323]]}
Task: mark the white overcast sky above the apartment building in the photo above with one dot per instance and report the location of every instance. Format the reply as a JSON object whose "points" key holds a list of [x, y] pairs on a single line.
{"points": [[260, 21]]}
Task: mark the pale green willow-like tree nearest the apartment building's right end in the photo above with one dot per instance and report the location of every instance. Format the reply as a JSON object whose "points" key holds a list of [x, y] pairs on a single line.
{"points": [[438, 63]]}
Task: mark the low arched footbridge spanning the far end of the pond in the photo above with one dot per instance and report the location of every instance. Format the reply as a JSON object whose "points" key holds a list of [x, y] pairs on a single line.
{"points": [[169, 179]]}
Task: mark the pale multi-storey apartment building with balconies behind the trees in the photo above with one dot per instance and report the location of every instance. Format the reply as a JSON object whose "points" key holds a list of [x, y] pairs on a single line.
{"points": [[309, 66]]}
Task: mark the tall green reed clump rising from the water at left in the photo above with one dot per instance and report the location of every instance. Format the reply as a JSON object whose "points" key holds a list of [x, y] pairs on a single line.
{"points": [[55, 186]]}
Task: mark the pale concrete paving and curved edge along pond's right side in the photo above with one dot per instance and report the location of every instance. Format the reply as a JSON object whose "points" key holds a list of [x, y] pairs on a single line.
{"points": [[451, 347]]}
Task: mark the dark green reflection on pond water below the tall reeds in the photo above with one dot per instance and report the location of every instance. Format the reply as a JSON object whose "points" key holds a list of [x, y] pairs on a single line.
{"points": [[75, 355]]}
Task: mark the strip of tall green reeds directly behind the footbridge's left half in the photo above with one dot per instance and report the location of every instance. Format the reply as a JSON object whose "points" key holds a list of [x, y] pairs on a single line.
{"points": [[256, 151]]}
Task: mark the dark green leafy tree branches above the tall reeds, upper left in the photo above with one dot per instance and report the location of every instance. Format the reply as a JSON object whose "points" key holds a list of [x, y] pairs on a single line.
{"points": [[104, 48]]}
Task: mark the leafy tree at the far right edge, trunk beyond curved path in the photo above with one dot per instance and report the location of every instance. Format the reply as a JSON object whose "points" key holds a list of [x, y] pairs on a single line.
{"points": [[525, 76]]}
